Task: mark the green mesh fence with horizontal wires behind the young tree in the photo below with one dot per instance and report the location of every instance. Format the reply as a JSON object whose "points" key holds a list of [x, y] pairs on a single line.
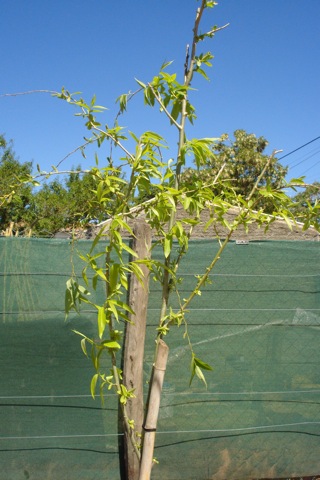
{"points": [[257, 323]]}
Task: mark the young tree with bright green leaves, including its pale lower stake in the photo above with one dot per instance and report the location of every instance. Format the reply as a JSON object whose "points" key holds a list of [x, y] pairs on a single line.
{"points": [[158, 182]]}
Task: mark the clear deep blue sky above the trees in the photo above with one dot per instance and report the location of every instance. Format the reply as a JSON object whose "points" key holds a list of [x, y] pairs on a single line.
{"points": [[265, 75]]}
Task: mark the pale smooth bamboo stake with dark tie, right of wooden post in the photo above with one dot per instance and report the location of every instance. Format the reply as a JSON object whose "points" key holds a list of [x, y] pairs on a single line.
{"points": [[150, 425]]}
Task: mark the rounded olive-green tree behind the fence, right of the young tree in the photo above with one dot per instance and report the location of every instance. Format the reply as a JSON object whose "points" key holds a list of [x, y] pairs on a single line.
{"points": [[244, 158]]}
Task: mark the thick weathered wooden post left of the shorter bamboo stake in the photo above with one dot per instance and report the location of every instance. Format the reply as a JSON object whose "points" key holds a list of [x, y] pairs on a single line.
{"points": [[134, 348]]}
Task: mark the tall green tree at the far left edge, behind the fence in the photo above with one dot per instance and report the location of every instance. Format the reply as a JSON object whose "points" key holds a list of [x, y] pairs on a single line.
{"points": [[15, 194]]}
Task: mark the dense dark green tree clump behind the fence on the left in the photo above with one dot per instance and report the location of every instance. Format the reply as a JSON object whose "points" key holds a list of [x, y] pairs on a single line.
{"points": [[45, 209]]}
